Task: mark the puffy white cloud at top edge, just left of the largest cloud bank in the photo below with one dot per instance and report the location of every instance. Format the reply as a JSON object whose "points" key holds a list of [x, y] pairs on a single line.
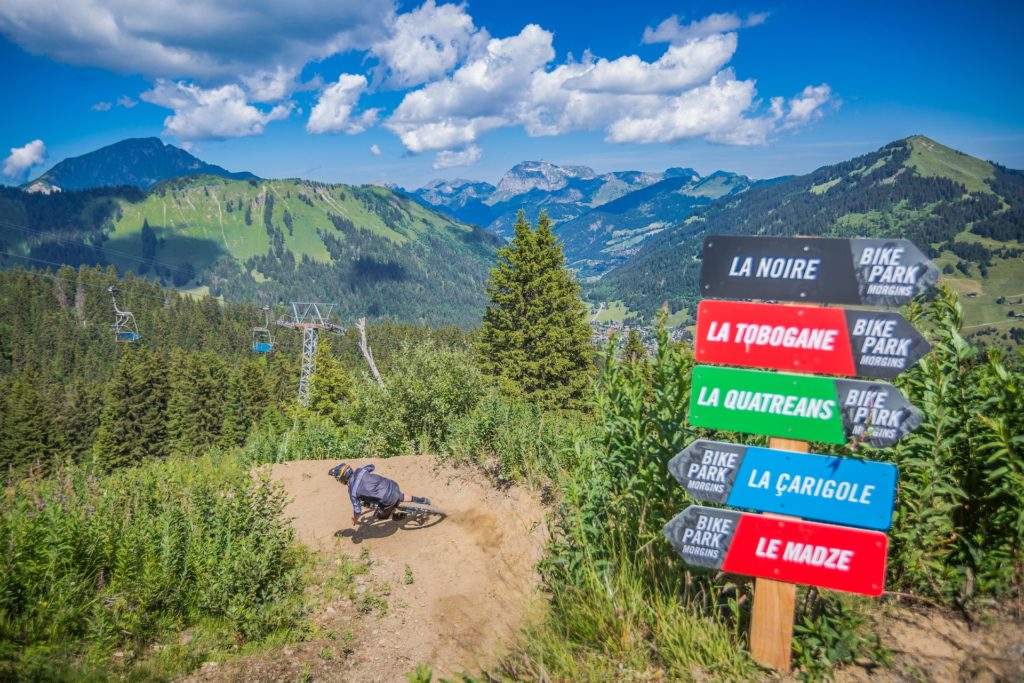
{"points": [[428, 44]]}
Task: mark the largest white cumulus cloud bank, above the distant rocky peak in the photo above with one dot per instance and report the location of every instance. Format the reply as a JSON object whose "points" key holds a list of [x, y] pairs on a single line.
{"points": [[689, 93]]}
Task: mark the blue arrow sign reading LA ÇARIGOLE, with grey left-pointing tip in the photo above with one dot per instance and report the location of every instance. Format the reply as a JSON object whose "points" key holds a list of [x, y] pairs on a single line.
{"points": [[842, 491]]}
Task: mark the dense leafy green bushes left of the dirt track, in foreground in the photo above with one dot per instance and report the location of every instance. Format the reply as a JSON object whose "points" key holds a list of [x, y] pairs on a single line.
{"points": [[99, 564]]}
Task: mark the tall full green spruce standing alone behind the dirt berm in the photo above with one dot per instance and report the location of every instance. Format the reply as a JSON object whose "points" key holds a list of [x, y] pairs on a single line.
{"points": [[535, 335]]}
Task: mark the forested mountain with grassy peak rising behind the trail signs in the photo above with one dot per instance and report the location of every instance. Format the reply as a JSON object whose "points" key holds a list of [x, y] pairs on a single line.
{"points": [[968, 215]]}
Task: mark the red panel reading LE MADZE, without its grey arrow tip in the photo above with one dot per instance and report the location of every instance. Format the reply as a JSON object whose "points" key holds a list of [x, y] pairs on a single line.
{"points": [[835, 558]]}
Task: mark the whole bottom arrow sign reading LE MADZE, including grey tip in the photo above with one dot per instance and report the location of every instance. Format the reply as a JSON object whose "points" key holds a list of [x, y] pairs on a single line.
{"points": [[799, 552]]}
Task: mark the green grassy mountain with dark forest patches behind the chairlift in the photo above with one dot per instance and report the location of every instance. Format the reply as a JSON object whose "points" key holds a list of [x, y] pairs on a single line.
{"points": [[372, 251]]}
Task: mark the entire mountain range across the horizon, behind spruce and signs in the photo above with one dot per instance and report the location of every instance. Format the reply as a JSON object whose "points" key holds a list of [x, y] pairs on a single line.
{"points": [[633, 237]]}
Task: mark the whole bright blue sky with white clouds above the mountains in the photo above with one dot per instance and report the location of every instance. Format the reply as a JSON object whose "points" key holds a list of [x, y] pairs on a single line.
{"points": [[371, 91]]}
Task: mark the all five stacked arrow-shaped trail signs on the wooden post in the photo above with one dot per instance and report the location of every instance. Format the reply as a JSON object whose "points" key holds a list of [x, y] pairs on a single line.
{"points": [[844, 505]]}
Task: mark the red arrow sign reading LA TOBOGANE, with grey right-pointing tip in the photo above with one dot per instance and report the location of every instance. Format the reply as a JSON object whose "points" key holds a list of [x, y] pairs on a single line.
{"points": [[809, 339]]}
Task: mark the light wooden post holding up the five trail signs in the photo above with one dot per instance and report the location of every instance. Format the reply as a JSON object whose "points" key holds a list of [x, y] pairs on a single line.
{"points": [[775, 604]]}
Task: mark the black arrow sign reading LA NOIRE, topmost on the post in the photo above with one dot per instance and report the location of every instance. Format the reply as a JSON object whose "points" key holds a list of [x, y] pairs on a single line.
{"points": [[877, 273]]}
